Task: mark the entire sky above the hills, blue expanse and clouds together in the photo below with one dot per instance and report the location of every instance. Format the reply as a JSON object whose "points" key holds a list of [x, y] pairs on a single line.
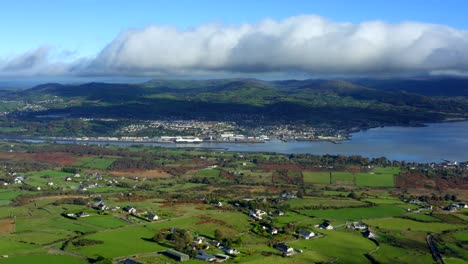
{"points": [[270, 39]]}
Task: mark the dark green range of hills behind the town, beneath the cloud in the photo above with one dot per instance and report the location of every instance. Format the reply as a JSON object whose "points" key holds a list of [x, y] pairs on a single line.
{"points": [[341, 104]]}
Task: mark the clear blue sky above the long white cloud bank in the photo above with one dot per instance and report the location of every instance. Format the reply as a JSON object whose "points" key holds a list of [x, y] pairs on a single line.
{"points": [[72, 30]]}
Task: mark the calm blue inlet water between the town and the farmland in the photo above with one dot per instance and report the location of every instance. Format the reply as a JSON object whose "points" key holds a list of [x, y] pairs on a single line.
{"points": [[420, 144]]}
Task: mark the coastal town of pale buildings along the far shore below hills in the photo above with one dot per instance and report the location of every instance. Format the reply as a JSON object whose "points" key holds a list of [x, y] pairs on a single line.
{"points": [[196, 131]]}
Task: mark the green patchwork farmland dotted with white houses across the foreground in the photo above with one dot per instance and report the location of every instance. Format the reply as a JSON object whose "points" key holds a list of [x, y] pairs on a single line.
{"points": [[77, 210]]}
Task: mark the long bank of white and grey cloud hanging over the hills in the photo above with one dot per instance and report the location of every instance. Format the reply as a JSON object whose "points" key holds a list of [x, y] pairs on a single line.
{"points": [[306, 44]]}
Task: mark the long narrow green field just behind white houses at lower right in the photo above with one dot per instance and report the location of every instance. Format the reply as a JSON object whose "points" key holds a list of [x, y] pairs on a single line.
{"points": [[379, 211]]}
